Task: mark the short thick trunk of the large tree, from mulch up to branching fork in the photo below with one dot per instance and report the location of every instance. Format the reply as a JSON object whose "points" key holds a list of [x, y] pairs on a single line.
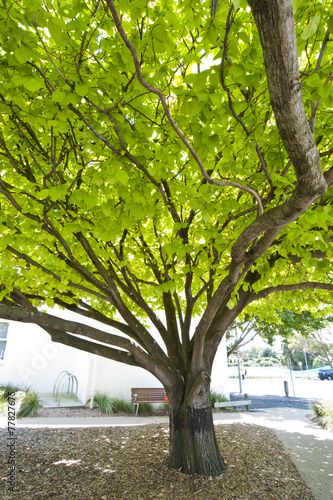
{"points": [[193, 445]]}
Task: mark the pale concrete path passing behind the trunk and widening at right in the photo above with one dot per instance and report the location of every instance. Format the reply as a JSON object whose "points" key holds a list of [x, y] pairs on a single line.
{"points": [[309, 446]]}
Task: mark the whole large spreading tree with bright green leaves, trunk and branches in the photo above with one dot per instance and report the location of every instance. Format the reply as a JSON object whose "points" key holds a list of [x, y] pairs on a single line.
{"points": [[157, 161]]}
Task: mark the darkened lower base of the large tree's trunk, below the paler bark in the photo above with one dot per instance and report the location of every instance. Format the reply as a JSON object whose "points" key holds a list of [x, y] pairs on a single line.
{"points": [[193, 445]]}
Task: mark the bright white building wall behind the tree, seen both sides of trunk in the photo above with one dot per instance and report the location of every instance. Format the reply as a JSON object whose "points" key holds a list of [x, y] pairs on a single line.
{"points": [[33, 360]]}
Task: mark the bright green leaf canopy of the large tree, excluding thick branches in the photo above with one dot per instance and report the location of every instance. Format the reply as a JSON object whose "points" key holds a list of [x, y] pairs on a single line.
{"points": [[110, 169]]}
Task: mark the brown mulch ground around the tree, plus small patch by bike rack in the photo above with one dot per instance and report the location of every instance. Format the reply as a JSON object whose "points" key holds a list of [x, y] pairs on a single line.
{"points": [[129, 462]]}
